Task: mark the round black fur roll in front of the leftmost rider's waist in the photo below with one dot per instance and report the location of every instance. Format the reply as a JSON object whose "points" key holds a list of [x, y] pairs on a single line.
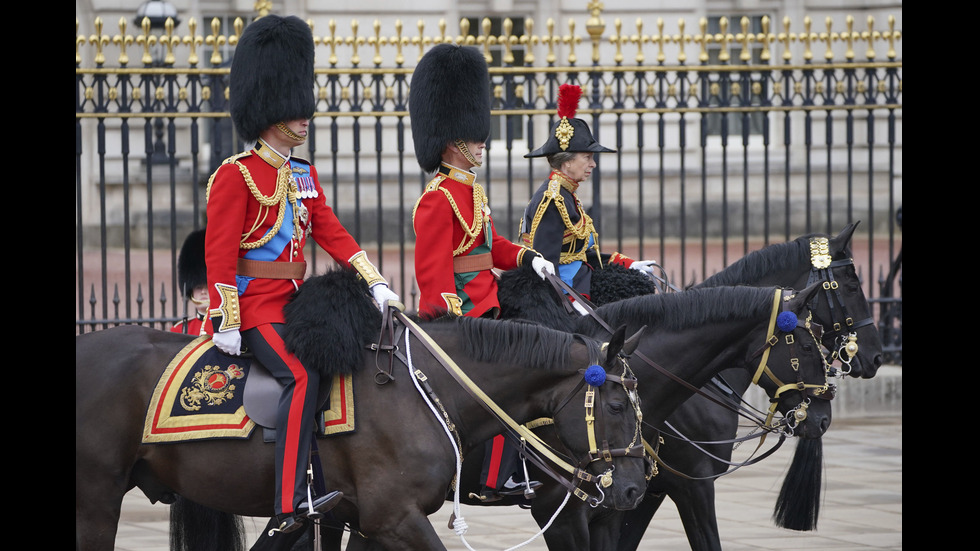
{"points": [[330, 320]]}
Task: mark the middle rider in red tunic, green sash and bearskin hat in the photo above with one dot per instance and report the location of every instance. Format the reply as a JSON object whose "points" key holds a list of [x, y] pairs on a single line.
{"points": [[456, 244]]}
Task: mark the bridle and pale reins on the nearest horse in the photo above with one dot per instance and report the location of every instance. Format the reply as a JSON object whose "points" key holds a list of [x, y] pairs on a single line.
{"points": [[540, 453]]}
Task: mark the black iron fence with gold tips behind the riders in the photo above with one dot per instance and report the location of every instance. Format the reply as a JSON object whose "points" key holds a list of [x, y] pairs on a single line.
{"points": [[747, 137]]}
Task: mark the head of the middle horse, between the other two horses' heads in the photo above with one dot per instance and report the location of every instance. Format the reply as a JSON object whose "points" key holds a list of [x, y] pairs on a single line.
{"points": [[791, 367]]}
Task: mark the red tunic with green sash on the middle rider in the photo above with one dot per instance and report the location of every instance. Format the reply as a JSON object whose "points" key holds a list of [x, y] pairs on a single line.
{"points": [[440, 236]]}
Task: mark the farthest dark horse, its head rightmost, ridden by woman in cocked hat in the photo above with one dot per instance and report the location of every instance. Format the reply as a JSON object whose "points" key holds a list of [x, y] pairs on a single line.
{"points": [[840, 307]]}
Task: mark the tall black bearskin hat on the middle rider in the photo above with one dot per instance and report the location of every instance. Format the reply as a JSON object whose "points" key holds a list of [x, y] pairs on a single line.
{"points": [[449, 100]]}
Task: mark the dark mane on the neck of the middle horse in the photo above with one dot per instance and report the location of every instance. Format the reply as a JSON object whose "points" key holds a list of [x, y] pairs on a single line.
{"points": [[689, 309]]}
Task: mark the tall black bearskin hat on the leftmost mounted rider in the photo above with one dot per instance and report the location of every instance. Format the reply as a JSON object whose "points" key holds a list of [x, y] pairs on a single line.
{"points": [[271, 78]]}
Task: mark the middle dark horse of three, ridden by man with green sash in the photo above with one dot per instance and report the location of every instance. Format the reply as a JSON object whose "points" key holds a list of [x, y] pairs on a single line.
{"points": [[696, 334]]}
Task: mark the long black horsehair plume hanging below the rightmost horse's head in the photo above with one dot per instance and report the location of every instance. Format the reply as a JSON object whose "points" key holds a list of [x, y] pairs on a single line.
{"points": [[798, 504]]}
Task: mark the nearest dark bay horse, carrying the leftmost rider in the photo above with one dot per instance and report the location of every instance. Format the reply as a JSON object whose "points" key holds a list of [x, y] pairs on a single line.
{"points": [[395, 468]]}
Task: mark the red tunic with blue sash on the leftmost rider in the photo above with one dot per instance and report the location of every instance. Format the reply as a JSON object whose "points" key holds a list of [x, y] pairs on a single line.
{"points": [[235, 214]]}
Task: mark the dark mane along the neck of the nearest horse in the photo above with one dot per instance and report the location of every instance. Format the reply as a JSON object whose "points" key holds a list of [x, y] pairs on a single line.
{"points": [[527, 345]]}
